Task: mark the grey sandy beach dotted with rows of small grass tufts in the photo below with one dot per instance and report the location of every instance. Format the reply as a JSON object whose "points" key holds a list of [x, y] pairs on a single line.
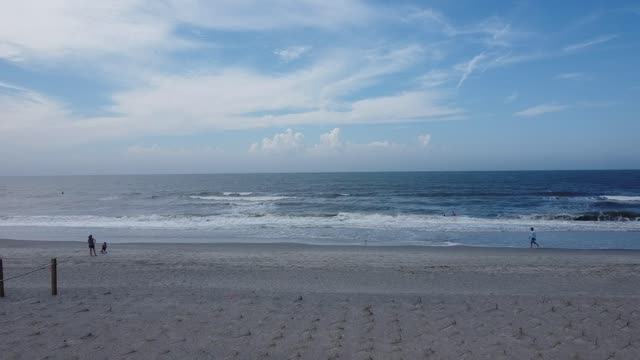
{"points": [[283, 301]]}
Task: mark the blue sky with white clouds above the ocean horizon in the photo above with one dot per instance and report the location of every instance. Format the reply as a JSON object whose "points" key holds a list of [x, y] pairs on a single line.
{"points": [[190, 86]]}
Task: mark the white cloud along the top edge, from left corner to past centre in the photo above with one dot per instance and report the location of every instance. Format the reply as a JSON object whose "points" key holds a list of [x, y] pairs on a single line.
{"points": [[32, 29]]}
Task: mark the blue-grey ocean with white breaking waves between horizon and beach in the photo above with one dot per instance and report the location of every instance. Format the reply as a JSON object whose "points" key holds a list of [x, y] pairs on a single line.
{"points": [[569, 209]]}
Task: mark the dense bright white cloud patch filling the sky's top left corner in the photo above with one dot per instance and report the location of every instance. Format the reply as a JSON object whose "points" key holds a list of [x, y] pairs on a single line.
{"points": [[58, 28]]}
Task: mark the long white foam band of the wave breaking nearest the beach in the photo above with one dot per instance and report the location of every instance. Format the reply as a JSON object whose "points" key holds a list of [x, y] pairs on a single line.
{"points": [[342, 220]]}
